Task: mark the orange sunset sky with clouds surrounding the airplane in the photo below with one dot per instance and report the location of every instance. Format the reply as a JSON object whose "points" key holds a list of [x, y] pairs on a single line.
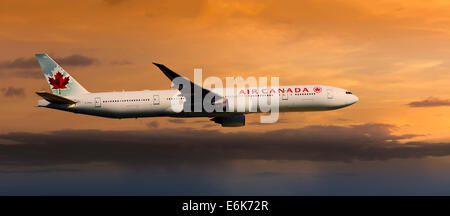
{"points": [[394, 55]]}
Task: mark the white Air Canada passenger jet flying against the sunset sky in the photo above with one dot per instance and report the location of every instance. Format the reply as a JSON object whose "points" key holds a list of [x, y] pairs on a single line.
{"points": [[68, 95]]}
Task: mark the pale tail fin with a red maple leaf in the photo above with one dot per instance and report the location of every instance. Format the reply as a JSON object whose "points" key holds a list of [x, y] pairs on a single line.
{"points": [[60, 82]]}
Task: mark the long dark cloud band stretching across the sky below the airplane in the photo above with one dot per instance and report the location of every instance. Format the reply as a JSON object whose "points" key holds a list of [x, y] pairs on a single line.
{"points": [[175, 146]]}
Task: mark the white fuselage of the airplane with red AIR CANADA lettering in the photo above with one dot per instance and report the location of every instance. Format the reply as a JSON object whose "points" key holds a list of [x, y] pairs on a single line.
{"points": [[151, 103]]}
